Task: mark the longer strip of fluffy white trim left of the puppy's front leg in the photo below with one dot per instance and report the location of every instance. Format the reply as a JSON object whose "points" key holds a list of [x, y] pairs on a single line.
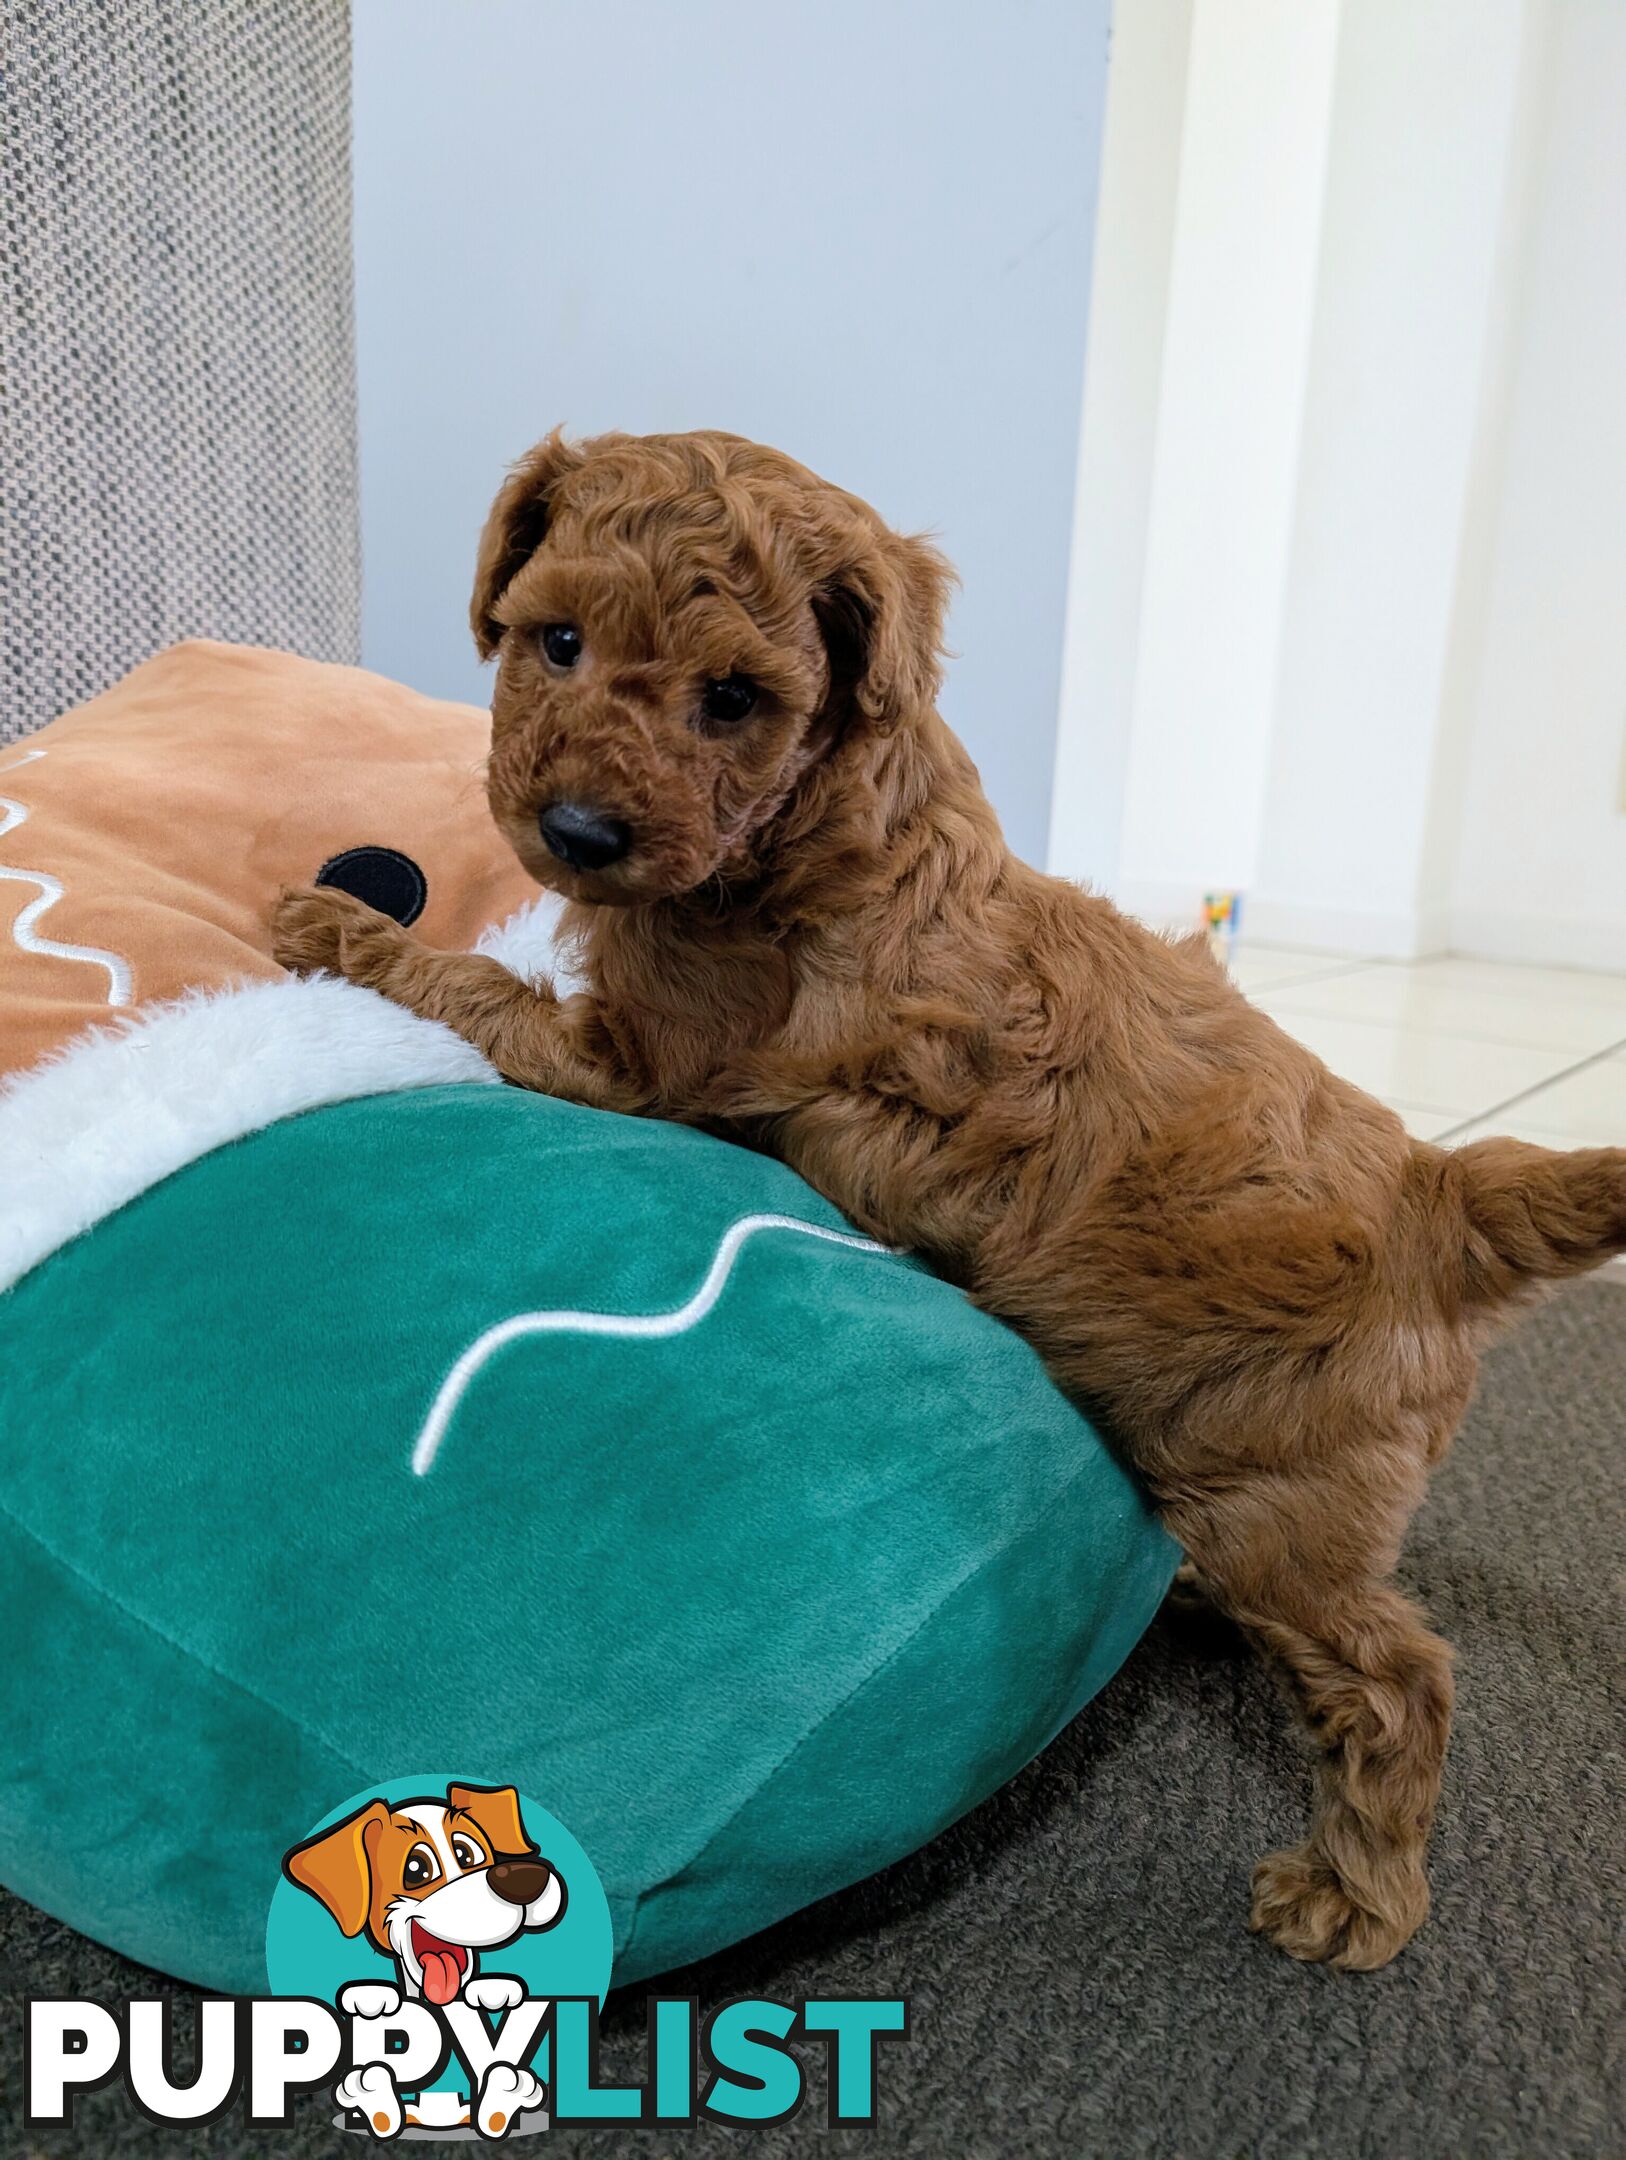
{"points": [[124, 1107]]}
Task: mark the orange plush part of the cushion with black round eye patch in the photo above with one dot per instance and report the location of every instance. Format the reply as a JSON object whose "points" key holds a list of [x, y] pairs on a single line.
{"points": [[146, 835]]}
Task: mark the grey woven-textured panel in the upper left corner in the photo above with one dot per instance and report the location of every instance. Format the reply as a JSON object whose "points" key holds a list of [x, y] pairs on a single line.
{"points": [[178, 444]]}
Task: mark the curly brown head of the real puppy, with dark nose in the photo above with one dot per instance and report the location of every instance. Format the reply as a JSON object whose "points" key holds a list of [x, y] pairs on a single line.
{"points": [[686, 625]]}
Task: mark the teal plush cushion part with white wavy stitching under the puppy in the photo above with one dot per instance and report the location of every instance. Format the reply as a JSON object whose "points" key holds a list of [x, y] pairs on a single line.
{"points": [[755, 1606]]}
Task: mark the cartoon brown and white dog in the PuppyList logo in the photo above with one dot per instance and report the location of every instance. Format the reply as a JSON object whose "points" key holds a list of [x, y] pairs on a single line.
{"points": [[431, 1885]]}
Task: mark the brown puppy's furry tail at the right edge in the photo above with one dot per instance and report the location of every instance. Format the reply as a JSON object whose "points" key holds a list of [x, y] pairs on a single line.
{"points": [[1517, 1215]]}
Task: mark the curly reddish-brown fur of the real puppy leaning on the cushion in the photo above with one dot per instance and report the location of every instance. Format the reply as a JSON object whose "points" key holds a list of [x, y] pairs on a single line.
{"points": [[817, 943]]}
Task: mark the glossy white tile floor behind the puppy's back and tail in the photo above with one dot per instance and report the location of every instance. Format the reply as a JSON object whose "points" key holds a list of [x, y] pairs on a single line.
{"points": [[1461, 1047]]}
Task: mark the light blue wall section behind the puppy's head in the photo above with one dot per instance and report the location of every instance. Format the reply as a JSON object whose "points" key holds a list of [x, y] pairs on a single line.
{"points": [[852, 228]]}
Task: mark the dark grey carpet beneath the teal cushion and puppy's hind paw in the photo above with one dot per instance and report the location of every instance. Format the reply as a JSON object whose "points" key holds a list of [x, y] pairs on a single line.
{"points": [[1074, 1954]]}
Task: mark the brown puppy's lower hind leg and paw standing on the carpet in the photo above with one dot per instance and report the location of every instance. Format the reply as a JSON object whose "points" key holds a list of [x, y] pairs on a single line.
{"points": [[1374, 1688]]}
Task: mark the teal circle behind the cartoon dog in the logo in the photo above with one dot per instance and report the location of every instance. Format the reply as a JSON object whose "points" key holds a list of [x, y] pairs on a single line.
{"points": [[308, 1954]]}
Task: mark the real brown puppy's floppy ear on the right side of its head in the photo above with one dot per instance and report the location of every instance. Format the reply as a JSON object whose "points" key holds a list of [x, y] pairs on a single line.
{"points": [[882, 619]]}
